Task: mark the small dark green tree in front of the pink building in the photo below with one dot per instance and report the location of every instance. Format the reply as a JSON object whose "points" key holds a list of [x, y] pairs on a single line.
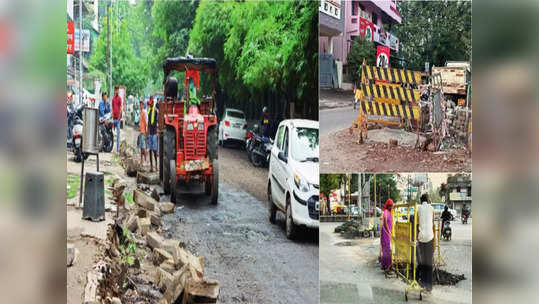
{"points": [[360, 50]]}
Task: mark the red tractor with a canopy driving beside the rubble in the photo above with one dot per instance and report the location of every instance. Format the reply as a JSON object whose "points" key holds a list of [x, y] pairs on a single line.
{"points": [[188, 127]]}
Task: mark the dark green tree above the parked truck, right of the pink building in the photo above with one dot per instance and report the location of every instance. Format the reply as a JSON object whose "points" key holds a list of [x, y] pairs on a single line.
{"points": [[434, 32]]}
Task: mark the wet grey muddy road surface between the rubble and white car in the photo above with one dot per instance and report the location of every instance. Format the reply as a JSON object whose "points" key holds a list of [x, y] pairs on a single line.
{"points": [[252, 259]]}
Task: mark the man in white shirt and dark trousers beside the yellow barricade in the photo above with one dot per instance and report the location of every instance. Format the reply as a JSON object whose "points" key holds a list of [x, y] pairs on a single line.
{"points": [[425, 222]]}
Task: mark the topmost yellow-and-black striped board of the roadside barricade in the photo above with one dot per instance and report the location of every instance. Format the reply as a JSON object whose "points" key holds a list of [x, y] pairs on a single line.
{"points": [[391, 75]]}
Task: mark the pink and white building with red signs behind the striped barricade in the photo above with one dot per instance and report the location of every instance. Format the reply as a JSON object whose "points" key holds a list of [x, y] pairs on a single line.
{"points": [[363, 18]]}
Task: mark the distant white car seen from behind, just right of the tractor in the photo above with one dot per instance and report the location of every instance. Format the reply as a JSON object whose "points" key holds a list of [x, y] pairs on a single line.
{"points": [[232, 127]]}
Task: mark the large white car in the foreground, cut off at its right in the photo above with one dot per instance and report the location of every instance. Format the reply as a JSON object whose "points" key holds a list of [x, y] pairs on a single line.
{"points": [[293, 178]]}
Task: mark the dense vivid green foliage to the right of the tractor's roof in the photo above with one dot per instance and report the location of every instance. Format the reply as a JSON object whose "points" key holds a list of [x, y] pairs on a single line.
{"points": [[261, 46]]}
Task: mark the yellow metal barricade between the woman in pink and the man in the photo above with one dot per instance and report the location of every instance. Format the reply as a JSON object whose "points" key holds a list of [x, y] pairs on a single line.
{"points": [[405, 245]]}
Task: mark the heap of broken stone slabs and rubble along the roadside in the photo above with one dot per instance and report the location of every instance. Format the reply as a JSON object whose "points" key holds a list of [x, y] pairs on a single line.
{"points": [[139, 265]]}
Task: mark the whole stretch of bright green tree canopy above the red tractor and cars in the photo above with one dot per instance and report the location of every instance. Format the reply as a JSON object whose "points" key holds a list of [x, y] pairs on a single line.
{"points": [[266, 50]]}
